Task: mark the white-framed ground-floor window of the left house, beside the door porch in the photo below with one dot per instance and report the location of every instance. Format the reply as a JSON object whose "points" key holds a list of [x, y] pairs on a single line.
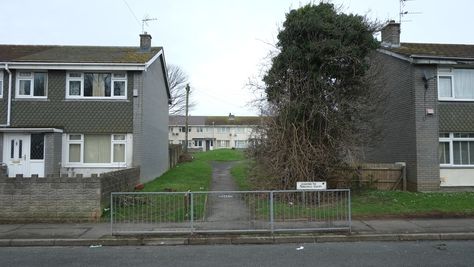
{"points": [[96, 149]]}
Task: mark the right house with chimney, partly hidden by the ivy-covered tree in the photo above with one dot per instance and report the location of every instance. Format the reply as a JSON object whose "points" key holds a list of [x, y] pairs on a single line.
{"points": [[429, 118]]}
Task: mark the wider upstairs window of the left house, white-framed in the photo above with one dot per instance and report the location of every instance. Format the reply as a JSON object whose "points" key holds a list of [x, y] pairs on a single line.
{"points": [[90, 85]]}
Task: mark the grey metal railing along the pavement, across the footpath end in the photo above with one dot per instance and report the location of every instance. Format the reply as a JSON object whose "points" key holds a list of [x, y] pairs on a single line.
{"points": [[230, 211]]}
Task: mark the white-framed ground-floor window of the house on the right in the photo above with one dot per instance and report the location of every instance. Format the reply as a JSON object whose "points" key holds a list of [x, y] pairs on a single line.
{"points": [[456, 149]]}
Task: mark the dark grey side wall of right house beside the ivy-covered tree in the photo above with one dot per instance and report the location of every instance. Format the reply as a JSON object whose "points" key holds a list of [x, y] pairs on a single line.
{"points": [[398, 138]]}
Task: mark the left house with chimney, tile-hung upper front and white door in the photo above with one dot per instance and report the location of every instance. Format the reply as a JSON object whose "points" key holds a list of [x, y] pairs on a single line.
{"points": [[83, 109]]}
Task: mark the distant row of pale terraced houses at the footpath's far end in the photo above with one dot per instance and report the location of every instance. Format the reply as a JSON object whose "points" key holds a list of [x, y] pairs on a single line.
{"points": [[211, 132]]}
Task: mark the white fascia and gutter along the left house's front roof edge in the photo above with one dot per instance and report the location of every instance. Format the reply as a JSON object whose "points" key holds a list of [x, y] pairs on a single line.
{"points": [[75, 66]]}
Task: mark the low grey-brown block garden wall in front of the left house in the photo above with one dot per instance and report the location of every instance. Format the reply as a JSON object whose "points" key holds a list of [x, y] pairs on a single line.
{"points": [[61, 199]]}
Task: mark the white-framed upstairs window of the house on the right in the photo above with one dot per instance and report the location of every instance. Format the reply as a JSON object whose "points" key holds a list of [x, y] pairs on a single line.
{"points": [[456, 84]]}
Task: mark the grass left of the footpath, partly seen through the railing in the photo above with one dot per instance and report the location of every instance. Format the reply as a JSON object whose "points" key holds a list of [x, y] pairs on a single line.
{"points": [[194, 176]]}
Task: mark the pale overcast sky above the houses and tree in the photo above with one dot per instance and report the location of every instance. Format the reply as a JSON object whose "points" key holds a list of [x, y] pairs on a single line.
{"points": [[219, 43]]}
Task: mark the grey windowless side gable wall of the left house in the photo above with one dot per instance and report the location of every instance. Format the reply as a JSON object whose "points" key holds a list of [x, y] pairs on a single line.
{"points": [[151, 122]]}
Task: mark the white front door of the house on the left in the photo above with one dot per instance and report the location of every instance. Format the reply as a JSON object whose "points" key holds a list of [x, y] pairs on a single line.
{"points": [[16, 154]]}
